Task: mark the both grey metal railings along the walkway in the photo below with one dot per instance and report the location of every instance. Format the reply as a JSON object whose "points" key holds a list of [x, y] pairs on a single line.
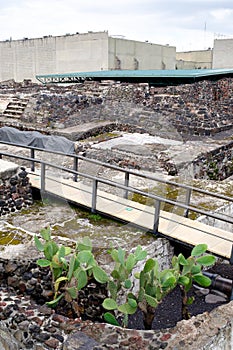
{"points": [[157, 200]]}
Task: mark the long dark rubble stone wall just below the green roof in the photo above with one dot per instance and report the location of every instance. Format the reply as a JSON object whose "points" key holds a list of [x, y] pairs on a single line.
{"points": [[201, 109]]}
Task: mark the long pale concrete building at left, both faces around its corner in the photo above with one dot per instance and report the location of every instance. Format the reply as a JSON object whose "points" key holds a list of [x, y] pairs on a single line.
{"points": [[92, 51]]}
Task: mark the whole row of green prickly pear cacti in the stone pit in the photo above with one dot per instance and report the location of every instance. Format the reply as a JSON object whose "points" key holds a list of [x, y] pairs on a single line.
{"points": [[72, 269]]}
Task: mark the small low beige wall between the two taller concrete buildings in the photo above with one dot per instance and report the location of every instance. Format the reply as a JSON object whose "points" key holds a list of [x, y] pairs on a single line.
{"points": [[194, 59]]}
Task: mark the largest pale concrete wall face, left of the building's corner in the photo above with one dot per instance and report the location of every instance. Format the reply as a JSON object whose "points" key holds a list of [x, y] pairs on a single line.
{"points": [[23, 59]]}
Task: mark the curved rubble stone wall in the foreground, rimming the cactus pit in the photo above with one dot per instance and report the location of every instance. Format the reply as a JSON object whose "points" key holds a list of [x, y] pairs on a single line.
{"points": [[38, 327]]}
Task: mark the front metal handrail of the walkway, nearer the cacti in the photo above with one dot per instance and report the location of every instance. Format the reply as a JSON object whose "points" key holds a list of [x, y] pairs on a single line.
{"points": [[96, 180]]}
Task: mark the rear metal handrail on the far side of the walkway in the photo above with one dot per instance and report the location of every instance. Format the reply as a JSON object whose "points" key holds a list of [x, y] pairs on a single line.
{"points": [[127, 172]]}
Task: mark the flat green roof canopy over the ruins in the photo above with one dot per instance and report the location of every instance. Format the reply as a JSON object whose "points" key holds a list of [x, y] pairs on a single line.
{"points": [[152, 77]]}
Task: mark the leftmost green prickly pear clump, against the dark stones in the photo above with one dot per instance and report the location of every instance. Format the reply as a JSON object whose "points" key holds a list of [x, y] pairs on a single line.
{"points": [[71, 270]]}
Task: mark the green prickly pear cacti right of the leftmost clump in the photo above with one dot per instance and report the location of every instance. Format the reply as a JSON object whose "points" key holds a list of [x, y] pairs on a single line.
{"points": [[154, 284]]}
